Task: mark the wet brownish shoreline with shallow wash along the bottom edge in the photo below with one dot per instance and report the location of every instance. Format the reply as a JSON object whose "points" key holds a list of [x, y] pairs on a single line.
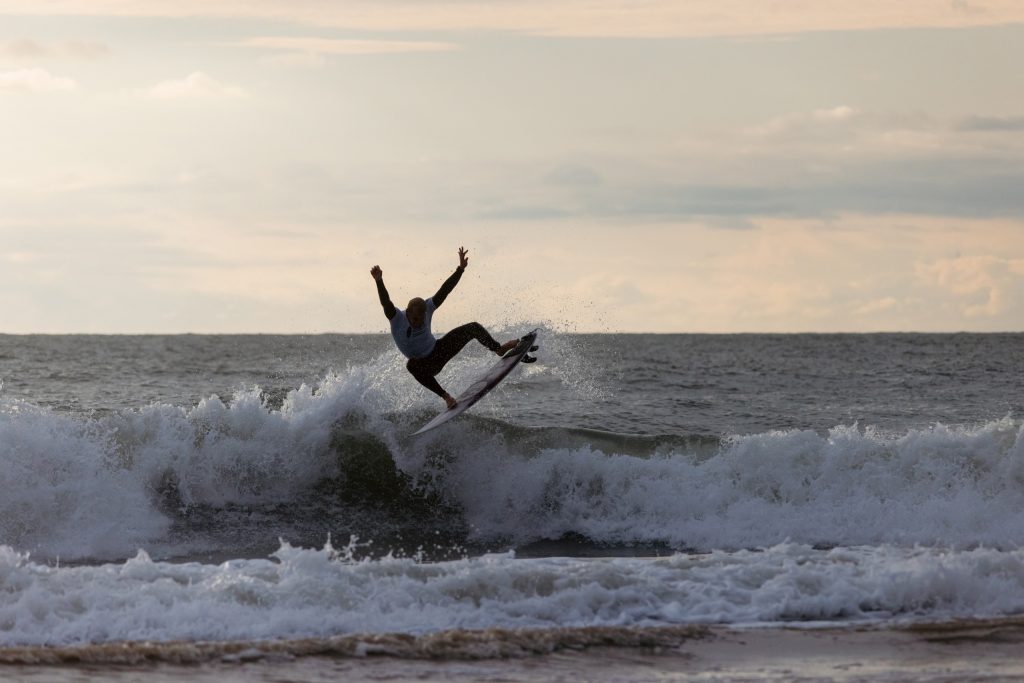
{"points": [[931, 652]]}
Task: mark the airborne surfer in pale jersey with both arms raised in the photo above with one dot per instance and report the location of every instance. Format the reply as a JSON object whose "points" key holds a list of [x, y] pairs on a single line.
{"points": [[411, 330]]}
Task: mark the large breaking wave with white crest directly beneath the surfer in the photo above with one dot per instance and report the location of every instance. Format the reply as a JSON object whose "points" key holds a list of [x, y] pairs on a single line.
{"points": [[101, 488]]}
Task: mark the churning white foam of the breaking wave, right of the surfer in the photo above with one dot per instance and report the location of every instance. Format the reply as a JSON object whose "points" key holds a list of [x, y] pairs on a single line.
{"points": [[945, 487]]}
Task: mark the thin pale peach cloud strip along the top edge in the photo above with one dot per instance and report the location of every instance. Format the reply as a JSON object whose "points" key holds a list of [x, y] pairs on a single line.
{"points": [[568, 18]]}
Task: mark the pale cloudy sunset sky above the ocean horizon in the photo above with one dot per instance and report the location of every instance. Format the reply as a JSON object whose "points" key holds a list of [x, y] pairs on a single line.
{"points": [[238, 166]]}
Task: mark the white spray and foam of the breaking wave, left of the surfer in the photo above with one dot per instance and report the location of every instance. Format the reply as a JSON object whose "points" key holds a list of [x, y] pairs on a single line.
{"points": [[81, 487]]}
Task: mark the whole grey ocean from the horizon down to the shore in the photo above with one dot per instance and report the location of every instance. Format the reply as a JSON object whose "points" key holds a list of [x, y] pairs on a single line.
{"points": [[258, 504]]}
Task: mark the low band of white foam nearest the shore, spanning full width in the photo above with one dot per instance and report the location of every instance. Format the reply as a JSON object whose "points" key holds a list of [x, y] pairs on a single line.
{"points": [[314, 593]]}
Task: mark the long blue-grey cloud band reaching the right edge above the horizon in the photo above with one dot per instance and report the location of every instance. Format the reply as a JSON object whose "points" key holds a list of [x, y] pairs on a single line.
{"points": [[977, 188]]}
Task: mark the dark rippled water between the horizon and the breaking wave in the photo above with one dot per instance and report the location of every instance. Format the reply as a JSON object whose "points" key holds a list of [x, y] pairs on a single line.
{"points": [[636, 385]]}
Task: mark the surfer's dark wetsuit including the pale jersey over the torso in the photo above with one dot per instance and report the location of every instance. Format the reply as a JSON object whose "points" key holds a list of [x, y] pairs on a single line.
{"points": [[426, 360]]}
